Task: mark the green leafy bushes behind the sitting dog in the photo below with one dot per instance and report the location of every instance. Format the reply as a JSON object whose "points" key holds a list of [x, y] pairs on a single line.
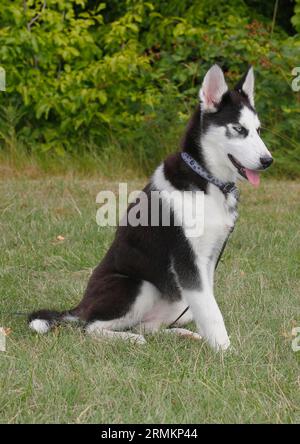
{"points": [[83, 73]]}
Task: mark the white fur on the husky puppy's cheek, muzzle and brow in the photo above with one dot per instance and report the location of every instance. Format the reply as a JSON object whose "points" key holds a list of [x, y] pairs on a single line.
{"points": [[247, 150]]}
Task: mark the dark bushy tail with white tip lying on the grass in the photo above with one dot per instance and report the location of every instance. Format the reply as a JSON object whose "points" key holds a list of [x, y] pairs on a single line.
{"points": [[43, 320]]}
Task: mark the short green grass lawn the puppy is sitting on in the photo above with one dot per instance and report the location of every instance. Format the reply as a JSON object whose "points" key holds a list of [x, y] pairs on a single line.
{"points": [[68, 377]]}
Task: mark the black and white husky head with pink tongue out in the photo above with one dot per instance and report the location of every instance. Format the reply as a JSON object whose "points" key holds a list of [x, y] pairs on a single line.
{"points": [[230, 135]]}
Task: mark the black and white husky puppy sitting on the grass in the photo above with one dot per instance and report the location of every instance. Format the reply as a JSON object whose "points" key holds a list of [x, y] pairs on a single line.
{"points": [[155, 276]]}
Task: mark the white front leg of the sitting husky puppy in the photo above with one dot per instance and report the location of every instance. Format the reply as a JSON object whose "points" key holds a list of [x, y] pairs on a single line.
{"points": [[206, 313]]}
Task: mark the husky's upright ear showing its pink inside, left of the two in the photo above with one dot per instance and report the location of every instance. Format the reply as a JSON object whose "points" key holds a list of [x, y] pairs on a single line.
{"points": [[213, 88]]}
